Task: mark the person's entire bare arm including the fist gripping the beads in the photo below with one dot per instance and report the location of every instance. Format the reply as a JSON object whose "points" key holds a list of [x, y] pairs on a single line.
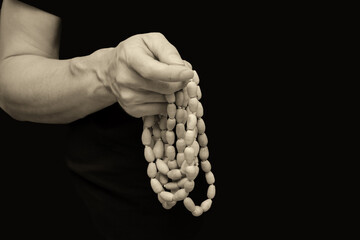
{"points": [[36, 86]]}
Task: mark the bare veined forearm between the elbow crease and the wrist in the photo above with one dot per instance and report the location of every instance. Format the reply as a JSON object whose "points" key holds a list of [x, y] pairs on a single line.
{"points": [[39, 89]]}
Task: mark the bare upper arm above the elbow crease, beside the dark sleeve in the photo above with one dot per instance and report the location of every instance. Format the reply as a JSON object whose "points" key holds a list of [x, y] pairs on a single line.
{"points": [[27, 30]]}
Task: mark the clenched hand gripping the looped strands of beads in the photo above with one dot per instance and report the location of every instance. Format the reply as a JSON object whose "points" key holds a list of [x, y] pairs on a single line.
{"points": [[142, 69]]}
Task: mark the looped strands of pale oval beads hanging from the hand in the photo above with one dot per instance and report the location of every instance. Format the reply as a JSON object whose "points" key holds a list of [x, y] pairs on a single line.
{"points": [[171, 170]]}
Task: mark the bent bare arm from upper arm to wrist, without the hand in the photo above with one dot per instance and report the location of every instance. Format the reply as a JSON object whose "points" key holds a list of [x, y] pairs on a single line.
{"points": [[34, 84]]}
